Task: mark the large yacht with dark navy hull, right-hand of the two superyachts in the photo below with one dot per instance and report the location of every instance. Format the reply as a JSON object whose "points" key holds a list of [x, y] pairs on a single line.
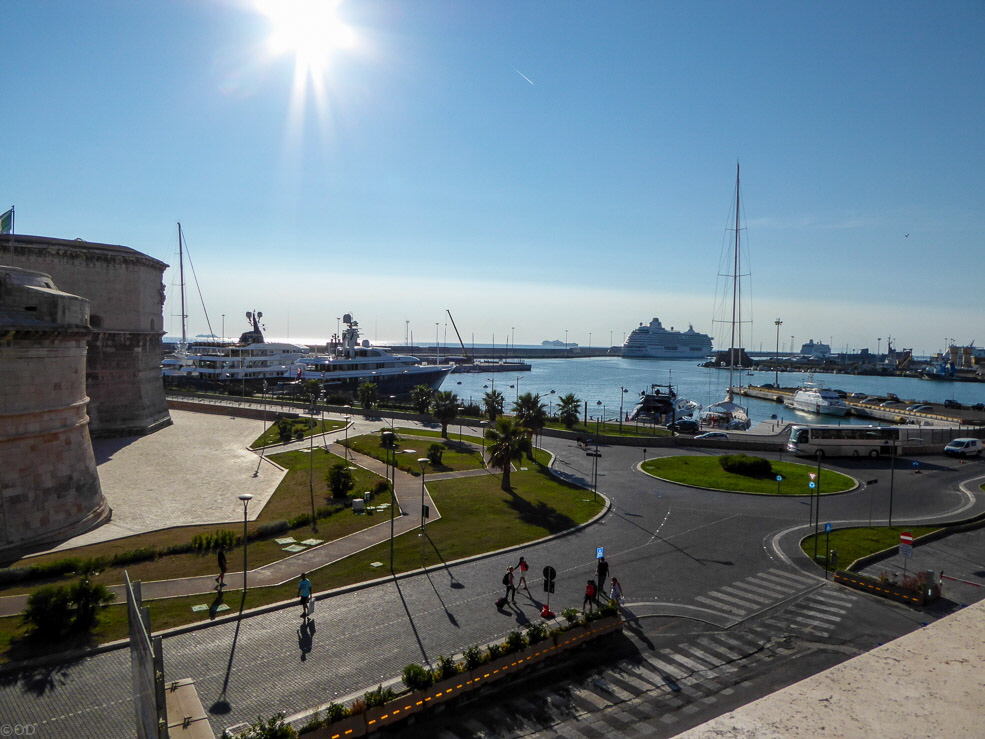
{"points": [[354, 362]]}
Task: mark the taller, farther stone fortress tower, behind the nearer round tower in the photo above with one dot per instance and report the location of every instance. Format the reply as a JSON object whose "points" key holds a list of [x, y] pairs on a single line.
{"points": [[126, 296]]}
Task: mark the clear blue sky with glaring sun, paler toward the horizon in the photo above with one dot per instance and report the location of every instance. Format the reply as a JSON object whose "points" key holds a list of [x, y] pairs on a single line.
{"points": [[543, 170]]}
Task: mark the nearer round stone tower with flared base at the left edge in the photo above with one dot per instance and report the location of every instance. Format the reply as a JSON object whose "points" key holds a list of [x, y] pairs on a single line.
{"points": [[49, 487]]}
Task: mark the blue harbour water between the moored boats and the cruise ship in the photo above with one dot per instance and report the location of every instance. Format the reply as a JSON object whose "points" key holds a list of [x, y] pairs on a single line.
{"points": [[612, 386]]}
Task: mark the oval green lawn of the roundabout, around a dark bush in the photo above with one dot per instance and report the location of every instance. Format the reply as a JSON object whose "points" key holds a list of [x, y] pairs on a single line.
{"points": [[706, 472]]}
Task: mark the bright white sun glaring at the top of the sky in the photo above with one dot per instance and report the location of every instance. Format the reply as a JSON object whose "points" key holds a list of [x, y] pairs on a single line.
{"points": [[309, 29]]}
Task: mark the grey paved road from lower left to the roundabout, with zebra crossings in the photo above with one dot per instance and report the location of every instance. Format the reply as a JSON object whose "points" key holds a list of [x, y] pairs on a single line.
{"points": [[720, 597]]}
